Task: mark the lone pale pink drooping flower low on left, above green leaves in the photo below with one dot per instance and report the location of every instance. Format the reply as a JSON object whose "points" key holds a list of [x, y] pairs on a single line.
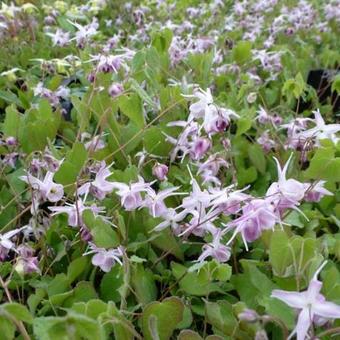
{"points": [[105, 258]]}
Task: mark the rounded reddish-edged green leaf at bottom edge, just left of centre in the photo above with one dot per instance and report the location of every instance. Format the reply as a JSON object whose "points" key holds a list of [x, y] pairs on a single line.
{"points": [[166, 315]]}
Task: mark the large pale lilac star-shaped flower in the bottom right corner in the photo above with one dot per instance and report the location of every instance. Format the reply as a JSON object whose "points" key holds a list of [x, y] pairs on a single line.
{"points": [[311, 305]]}
